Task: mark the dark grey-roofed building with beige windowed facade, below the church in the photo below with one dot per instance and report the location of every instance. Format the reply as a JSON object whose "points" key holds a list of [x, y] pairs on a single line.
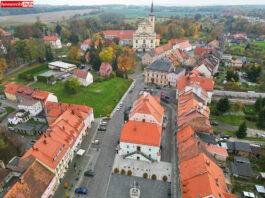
{"points": [[158, 71]]}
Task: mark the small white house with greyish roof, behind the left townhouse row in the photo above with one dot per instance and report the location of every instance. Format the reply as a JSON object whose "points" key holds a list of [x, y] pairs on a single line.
{"points": [[33, 107]]}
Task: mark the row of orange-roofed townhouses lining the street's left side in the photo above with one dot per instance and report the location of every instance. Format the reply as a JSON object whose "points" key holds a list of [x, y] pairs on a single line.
{"points": [[49, 158]]}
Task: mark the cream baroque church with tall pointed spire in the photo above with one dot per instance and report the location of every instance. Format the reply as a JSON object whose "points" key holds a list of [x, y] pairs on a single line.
{"points": [[145, 38]]}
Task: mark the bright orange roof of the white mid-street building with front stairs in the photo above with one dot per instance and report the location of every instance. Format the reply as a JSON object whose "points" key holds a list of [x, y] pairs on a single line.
{"points": [[141, 133]]}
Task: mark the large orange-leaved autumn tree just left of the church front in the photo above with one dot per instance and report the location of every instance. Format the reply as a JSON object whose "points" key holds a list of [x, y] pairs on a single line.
{"points": [[126, 60]]}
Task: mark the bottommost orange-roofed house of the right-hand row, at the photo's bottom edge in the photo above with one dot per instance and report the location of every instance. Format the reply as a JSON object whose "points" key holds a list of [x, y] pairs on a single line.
{"points": [[201, 177]]}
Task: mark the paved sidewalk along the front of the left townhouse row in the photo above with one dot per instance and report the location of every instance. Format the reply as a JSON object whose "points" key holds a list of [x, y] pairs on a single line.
{"points": [[88, 160]]}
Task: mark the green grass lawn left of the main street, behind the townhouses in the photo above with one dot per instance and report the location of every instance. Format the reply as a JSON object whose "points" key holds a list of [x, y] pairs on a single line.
{"points": [[102, 96]]}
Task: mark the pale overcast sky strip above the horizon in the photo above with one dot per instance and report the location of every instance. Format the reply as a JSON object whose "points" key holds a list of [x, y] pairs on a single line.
{"points": [[148, 2]]}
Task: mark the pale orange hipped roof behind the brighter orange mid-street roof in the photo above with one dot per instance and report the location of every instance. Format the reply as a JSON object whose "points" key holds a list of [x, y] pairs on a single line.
{"points": [[148, 104]]}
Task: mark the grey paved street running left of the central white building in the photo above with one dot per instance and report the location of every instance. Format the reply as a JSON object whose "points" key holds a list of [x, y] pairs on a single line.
{"points": [[97, 187]]}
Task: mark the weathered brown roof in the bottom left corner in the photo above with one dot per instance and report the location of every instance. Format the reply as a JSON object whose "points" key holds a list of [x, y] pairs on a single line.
{"points": [[33, 182]]}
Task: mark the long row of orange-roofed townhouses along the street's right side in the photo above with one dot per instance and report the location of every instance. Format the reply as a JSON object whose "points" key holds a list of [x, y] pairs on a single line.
{"points": [[200, 176]]}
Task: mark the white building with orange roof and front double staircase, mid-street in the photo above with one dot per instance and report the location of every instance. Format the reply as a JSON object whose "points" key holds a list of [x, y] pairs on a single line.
{"points": [[141, 141]]}
